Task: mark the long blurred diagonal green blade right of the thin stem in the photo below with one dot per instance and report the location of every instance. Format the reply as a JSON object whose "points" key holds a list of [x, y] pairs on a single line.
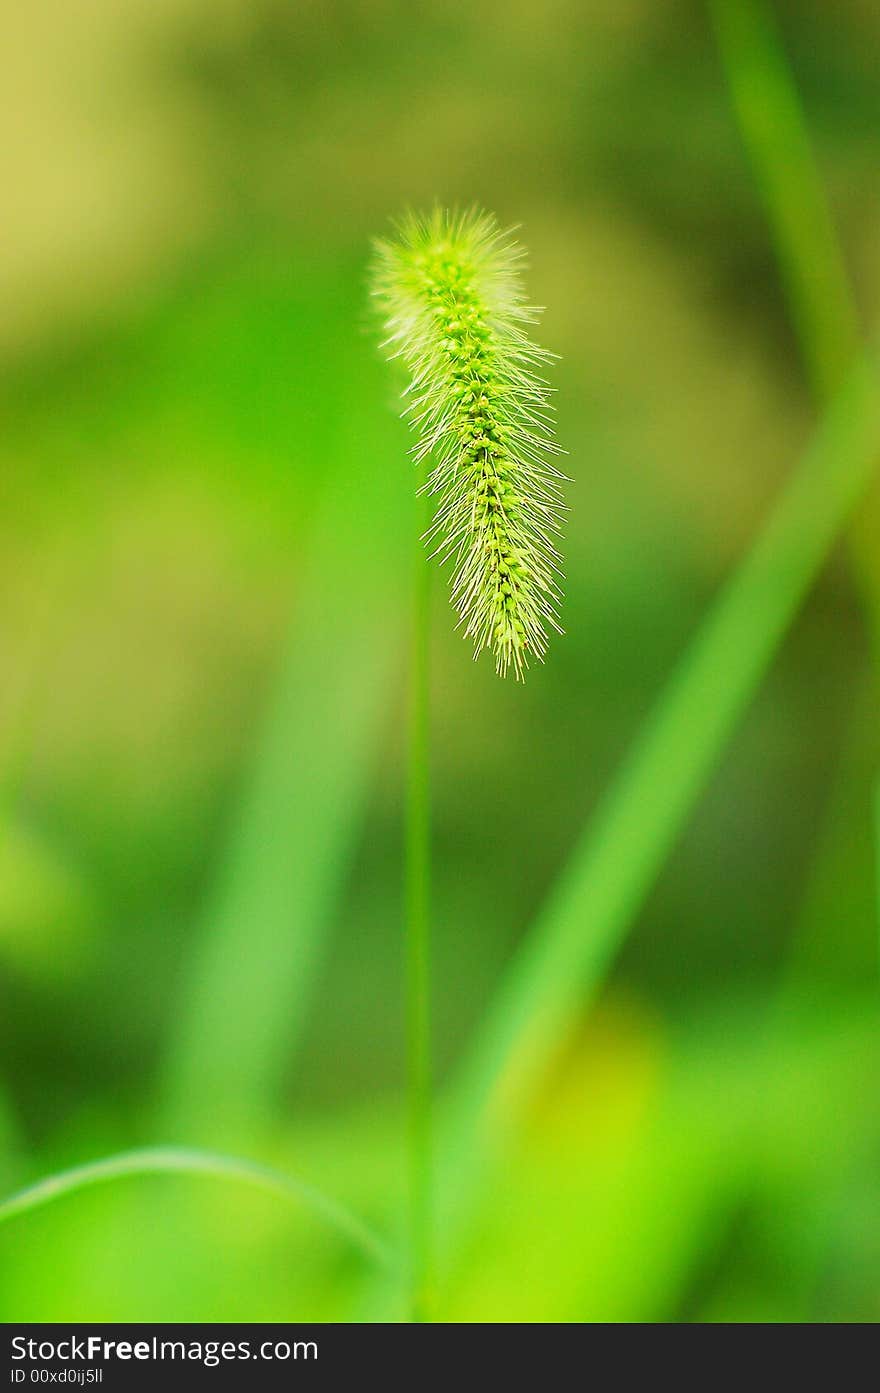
{"points": [[566, 955]]}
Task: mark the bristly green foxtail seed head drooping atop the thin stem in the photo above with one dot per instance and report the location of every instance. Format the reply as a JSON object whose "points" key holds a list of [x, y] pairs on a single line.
{"points": [[455, 311]]}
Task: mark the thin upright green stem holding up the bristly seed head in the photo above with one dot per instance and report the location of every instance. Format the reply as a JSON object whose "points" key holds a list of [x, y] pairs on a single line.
{"points": [[418, 931]]}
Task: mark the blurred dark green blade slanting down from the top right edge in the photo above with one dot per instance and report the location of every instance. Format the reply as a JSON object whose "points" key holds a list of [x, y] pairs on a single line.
{"points": [[779, 146]]}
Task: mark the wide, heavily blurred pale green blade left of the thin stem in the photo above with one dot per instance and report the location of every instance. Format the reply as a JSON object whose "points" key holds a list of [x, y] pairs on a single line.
{"points": [[262, 941]]}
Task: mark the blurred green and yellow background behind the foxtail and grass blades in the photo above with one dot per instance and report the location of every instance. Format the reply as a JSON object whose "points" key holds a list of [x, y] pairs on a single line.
{"points": [[204, 590]]}
